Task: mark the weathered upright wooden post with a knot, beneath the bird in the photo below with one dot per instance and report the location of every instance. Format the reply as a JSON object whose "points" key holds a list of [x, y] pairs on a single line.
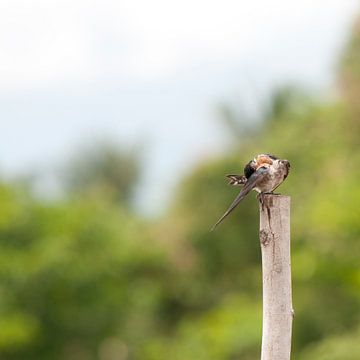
{"points": [[277, 302]]}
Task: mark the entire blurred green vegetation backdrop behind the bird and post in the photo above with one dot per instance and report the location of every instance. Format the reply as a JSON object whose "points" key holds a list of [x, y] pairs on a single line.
{"points": [[85, 277]]}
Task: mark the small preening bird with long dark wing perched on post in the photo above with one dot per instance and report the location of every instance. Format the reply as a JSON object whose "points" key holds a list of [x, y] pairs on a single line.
{"points": [[263, 174]]}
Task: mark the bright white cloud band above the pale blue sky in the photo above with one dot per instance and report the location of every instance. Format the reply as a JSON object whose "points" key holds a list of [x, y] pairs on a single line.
{"points": [[54, 43]]}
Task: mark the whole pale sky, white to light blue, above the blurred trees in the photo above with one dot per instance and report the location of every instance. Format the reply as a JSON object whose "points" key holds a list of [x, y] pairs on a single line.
{"points": [[151, 72]]}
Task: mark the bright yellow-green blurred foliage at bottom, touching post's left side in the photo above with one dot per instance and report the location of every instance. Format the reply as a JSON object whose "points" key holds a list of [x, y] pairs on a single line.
{"points": [[230, 330]]}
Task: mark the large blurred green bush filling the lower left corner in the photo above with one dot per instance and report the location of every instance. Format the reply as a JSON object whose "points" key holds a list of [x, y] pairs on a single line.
{"points": [[77, 279]]}
